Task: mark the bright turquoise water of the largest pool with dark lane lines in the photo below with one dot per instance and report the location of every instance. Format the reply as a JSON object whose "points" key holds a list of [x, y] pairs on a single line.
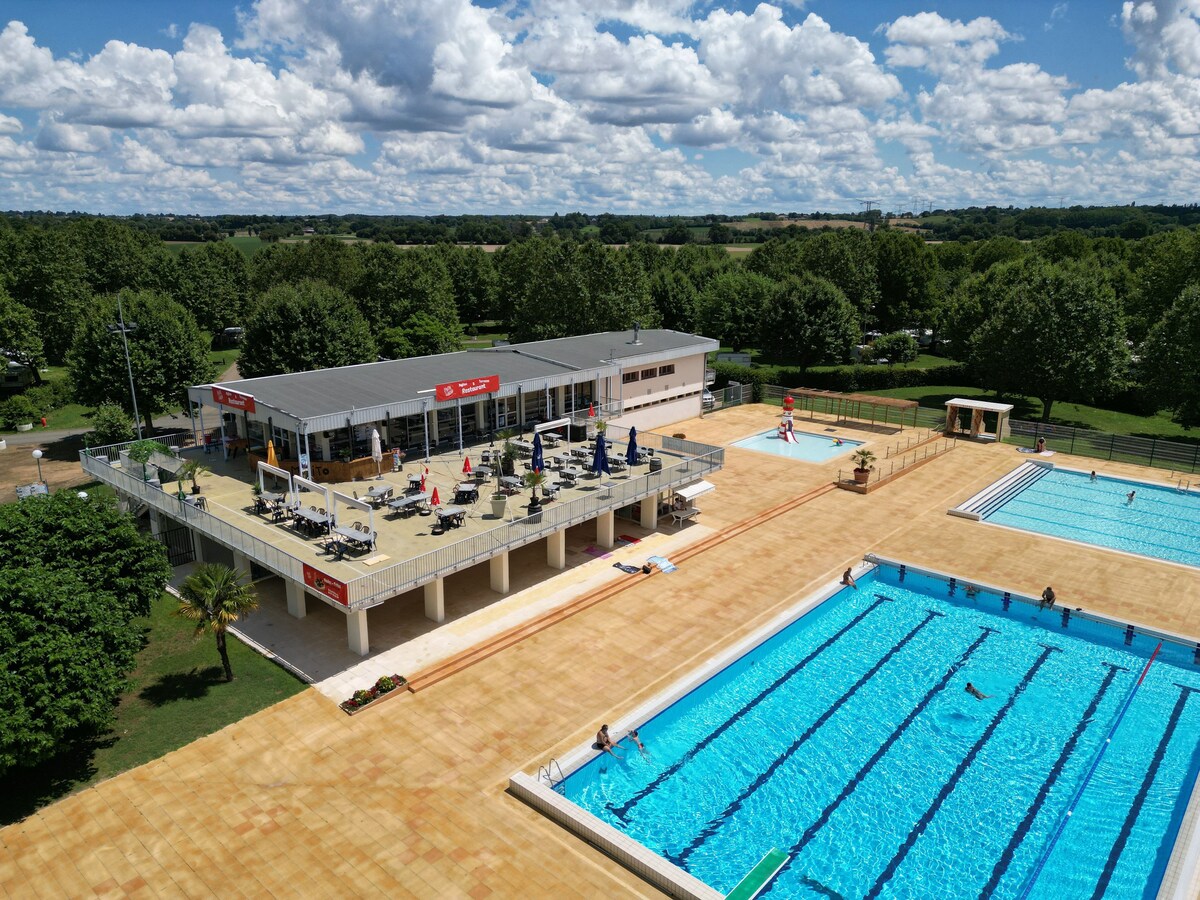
{"points": [[850, 742]]}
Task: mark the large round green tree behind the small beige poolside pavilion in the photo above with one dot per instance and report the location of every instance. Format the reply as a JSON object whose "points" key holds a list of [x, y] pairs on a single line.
{"points": [[1053, 333]]}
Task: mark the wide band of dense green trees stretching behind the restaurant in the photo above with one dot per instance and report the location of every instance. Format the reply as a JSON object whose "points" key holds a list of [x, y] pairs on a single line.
{"points": [[1066, 317]]}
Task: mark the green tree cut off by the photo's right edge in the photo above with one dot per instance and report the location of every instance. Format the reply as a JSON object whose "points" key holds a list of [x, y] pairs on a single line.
{"points": [[1171, 358]]}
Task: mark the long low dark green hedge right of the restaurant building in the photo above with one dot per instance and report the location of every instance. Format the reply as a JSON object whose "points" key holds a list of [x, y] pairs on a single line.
{"points": [[847, 380]]}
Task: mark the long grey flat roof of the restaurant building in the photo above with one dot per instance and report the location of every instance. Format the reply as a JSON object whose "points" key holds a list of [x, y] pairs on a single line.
{"points": [[399, 386]]}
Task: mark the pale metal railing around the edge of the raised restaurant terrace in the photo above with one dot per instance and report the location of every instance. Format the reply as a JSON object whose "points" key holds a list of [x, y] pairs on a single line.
{"points": [[682, 463]]}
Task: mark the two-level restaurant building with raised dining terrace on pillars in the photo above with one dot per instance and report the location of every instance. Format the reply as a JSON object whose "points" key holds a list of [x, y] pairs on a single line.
{"points": [[310, 439]]}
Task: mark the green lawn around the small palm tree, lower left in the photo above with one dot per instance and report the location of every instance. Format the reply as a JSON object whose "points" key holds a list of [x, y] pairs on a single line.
{"points": [[176, 695]]}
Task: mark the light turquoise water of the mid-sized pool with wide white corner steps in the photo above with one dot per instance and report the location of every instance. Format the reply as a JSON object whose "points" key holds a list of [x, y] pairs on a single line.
{"points": [[1162, 523]]}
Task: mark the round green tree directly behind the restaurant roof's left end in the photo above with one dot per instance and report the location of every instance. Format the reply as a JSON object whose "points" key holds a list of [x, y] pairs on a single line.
{"points": [[297, 328]]}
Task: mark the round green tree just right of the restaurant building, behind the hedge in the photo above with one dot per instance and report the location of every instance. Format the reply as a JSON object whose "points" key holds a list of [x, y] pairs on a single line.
{"points": [[808, 321]]}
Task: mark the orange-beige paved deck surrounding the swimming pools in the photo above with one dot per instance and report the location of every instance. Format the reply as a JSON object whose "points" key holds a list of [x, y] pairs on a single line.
{"points": [[409, 800]]}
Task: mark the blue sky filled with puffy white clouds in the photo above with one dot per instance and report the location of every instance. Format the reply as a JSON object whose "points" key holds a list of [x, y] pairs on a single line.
{"points": [[626, 106]]}
